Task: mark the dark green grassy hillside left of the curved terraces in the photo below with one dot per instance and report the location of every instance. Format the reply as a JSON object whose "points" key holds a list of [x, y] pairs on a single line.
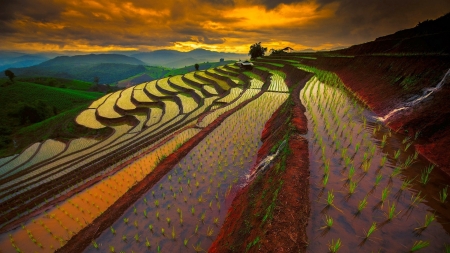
{"points": [[26, 104]]}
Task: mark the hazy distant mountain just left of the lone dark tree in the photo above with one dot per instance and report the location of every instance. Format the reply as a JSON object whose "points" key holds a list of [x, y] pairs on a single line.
{"points": [[175, 59]]}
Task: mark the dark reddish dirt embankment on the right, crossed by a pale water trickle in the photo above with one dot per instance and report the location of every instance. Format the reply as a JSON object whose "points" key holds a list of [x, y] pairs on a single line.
{"points": [[387, 82]]}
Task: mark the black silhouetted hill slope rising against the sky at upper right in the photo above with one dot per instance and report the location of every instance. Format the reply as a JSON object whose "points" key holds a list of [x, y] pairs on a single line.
{"points": [[427, 37]]}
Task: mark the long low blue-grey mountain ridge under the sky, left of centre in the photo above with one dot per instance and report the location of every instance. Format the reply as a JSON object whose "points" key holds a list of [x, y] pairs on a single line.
{"points": [[91, 59]]}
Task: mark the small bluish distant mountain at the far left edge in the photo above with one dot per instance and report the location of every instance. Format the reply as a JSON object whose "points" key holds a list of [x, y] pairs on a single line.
{"points": [[19, 60]]}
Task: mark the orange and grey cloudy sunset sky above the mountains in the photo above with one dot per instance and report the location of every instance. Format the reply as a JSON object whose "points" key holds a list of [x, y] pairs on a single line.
{"points": [[225, 26]]}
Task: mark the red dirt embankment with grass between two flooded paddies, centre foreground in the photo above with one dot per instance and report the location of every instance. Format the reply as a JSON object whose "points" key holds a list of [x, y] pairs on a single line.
{"points": [[270, 214]]}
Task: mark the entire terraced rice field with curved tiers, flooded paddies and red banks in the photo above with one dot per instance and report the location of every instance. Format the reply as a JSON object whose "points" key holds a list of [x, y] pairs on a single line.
{"points": [[184, 148]]}
